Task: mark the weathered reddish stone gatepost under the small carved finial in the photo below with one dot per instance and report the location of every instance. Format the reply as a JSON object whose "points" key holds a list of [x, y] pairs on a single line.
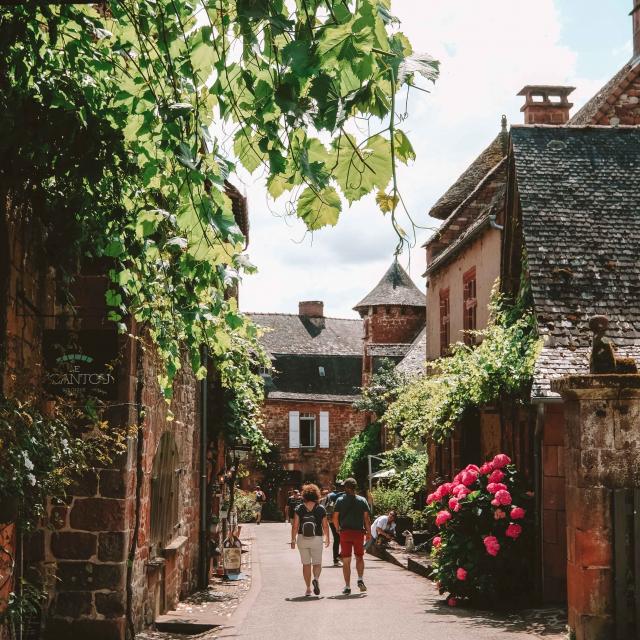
{"points": [[602, 449]]}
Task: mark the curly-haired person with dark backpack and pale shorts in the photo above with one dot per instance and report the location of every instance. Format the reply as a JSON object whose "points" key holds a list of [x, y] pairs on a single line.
{"points": [[308, 530]]}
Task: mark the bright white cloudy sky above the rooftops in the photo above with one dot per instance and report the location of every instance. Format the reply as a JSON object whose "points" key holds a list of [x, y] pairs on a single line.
{"points": [[489, 49]]}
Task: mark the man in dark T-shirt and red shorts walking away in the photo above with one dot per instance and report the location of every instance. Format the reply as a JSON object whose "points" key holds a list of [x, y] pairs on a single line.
{"points": [[352, 519]]}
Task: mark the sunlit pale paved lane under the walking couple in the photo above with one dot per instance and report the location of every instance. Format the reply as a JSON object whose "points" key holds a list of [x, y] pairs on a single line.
{"points": [[398, 604]]}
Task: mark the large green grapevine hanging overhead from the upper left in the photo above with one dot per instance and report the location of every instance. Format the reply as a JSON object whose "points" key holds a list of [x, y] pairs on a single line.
{"points": [[123, 120]]}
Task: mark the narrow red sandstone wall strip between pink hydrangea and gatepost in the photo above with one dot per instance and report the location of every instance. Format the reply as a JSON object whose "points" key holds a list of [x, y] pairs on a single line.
{"points": [[554, 528]]}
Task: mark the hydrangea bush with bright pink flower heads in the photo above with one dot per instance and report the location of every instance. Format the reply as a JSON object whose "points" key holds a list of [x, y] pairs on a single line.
{"points": [[483, 548]]}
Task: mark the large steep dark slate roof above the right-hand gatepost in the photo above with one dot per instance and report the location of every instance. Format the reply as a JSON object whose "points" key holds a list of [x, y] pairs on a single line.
{"points": [[580, 196]]}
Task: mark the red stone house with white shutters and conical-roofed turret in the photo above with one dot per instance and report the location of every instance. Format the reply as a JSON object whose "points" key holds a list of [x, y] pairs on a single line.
{"points": [[321, 363]]}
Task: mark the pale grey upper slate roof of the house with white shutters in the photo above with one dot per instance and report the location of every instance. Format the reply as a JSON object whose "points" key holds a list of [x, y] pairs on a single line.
{"points": [[293, 334]]}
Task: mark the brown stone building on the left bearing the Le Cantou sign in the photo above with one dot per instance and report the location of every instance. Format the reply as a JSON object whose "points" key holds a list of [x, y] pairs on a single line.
{"points": [[126, 543]]}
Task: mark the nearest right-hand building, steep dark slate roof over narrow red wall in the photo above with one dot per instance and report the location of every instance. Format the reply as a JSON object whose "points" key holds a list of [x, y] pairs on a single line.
{"points": [[573, 209]]}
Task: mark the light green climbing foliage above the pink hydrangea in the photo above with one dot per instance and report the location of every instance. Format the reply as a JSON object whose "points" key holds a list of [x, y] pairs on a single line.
{"points": [[501, 365]]}
